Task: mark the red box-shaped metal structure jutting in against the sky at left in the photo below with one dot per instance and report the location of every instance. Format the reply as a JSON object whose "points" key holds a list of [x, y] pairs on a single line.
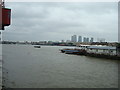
{"points": [[6, 16]]}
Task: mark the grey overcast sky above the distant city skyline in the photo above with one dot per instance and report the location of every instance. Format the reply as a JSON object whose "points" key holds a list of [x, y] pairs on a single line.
{"points": [[59, 21]]}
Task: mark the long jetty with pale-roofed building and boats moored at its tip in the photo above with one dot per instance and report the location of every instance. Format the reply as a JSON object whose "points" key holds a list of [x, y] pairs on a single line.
{"points": [[98, 51]]}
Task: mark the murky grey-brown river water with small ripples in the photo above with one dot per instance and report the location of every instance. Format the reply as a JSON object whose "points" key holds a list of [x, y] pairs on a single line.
{"points": [[27, 67]]}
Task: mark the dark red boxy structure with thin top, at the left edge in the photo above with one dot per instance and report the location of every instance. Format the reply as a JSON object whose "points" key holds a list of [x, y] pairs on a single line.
{"points": [[5, 15]]}
